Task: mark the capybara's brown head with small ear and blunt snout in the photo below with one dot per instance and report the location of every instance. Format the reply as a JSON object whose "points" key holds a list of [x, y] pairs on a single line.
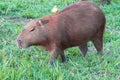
{"points": [[33, 33]]}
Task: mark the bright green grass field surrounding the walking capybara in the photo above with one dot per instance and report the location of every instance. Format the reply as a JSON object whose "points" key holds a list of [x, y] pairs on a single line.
{"points": [[32, 63]]}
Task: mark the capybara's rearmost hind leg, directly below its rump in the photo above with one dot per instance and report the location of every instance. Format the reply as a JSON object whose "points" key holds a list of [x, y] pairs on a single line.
{"points": [[98, 45]]}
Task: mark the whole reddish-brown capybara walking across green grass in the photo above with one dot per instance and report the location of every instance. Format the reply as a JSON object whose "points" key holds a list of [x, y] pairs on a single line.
{"points": [[75, 25]]}
